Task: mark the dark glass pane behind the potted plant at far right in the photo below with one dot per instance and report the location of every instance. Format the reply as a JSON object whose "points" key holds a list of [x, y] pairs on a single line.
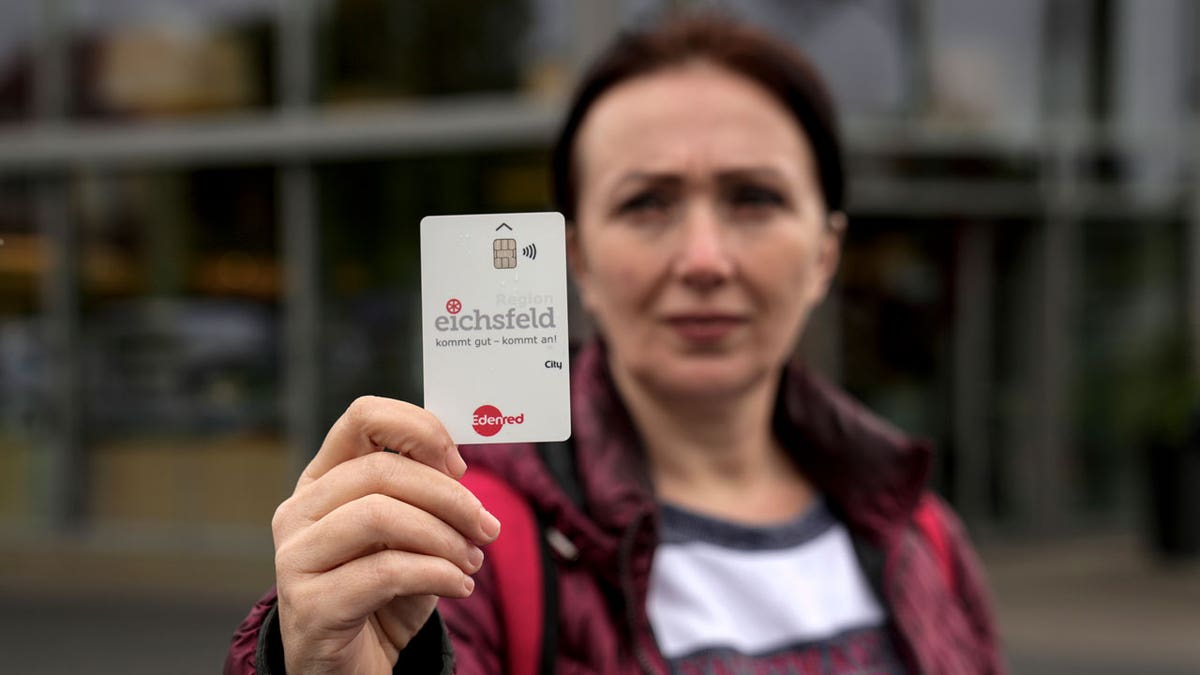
{"points": [[1135, 385]]}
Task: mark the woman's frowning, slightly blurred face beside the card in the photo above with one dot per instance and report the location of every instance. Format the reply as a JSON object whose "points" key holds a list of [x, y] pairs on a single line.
{"points": [[701, 243]]}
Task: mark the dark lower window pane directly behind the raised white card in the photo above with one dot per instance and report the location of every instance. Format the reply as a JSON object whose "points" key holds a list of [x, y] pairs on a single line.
{"points": [[371, 258]]}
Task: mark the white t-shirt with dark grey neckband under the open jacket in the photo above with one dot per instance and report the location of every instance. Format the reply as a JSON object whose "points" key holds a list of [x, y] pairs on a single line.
{"points": [[727, 598]]}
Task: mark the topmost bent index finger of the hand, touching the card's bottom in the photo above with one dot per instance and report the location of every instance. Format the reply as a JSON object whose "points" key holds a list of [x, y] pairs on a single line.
{"points": [[374, 423]]}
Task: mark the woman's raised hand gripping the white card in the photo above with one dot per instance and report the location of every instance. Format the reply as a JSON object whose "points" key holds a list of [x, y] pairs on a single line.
{"points": [[369, 540]]}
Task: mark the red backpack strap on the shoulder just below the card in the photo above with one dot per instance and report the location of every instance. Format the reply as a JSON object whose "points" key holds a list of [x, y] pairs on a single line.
{"points": [[515, 559]]}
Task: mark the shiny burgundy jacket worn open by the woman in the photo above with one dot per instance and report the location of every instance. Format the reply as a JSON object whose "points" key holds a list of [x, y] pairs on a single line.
{"points": [[871, 476]]}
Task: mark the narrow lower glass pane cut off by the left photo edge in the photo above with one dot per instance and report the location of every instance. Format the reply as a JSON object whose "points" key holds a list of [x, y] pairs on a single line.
{"points": [[23, 260]]}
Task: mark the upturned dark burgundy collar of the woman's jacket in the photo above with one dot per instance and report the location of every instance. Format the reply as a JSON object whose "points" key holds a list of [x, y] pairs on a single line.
{"points": [[871, 474]]}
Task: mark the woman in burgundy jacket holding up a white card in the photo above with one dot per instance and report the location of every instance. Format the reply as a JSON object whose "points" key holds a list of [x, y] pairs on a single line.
{"points": [[737, 513]]}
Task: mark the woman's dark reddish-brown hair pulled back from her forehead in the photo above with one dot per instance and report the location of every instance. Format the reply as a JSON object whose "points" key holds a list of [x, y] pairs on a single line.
{"points": [[749, 52]]}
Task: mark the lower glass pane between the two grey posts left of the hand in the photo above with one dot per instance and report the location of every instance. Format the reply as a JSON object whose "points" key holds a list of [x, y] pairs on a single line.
{"points": [[181, 331]]}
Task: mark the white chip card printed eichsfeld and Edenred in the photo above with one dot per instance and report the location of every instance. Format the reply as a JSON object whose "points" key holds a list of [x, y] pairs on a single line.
{"points": [[494, 326]]}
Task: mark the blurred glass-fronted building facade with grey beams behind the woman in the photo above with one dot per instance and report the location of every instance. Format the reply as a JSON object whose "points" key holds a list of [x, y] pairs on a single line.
{"points": [[209, 210]]}
